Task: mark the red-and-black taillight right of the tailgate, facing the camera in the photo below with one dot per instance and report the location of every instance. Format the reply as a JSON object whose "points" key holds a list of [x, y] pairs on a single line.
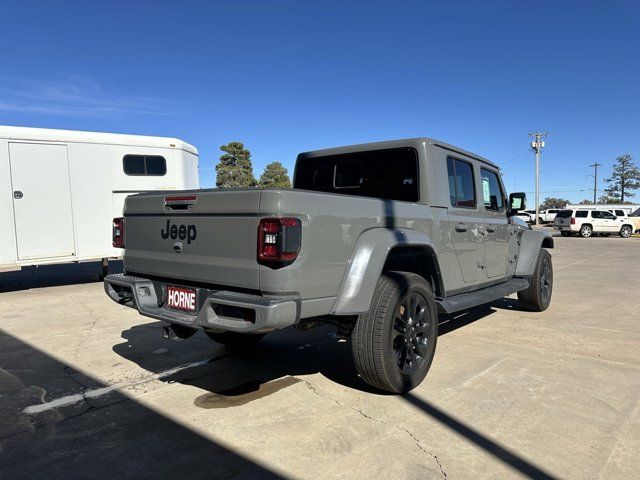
{"points": [[279, 241]]}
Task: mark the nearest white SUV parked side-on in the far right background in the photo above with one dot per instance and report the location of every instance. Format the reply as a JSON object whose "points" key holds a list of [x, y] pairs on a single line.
{"points": [[587, 222]]}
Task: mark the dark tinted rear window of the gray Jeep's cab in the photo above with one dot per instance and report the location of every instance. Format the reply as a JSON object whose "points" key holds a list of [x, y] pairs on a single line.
{"points": [[391, 174]]}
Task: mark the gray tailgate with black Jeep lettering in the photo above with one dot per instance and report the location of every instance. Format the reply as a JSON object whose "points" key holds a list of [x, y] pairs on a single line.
{"points": [[199, 236]]}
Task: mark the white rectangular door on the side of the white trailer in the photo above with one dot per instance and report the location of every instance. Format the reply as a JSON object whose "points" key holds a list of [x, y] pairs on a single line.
{"points": [[41, 200]]}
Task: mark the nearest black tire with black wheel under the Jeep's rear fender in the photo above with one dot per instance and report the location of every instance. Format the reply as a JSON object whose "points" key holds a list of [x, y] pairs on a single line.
{"points": [[393, 344]]}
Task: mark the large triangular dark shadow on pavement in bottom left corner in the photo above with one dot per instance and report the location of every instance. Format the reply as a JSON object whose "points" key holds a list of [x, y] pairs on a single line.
{"points": [[112, 436]]}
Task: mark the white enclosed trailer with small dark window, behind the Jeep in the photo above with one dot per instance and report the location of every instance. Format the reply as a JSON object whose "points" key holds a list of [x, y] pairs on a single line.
{"points": [[60, 189]]}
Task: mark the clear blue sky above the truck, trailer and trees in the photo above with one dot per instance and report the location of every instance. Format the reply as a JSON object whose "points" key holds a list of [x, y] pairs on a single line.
{"points": [[290, 76]]}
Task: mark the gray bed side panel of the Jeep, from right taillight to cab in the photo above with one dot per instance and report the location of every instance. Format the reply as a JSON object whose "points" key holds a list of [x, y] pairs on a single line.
{"points": [[331, 226]]}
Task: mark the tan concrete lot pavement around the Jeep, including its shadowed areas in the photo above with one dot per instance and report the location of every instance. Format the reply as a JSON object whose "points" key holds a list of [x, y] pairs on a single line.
{"points": [[89, 389]]}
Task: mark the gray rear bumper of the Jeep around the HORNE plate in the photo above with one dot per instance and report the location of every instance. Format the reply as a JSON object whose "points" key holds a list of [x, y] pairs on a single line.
{"points": [[217, 310]]}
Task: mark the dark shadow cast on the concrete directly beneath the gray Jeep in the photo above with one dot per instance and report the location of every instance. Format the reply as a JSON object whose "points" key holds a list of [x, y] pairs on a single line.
{"points": [[283, 353]]}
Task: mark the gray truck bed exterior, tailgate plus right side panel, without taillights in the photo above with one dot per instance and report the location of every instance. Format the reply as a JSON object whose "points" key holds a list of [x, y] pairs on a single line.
{"points": [[224, 252]]}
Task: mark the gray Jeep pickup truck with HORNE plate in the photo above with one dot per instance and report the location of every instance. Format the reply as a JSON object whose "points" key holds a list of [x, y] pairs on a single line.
{"points": [[377, 239]]}
